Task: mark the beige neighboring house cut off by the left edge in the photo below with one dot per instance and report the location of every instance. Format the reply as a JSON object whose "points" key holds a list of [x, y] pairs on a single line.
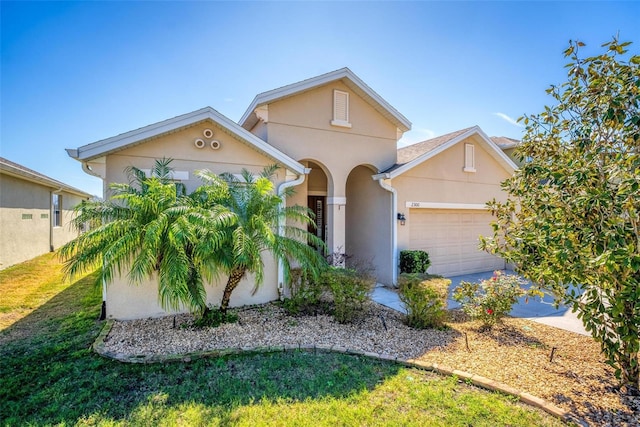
{"points": [[35, 212]]}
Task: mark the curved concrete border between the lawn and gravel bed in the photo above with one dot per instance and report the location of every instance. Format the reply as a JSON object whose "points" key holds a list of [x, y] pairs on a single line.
{"points": [[477, 380]]}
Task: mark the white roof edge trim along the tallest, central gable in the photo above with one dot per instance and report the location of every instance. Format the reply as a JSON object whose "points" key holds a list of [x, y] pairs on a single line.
{"points": [[249, 119]]}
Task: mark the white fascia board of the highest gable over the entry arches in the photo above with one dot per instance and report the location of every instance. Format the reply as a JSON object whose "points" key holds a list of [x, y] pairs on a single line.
{"points": [[283, 92]]}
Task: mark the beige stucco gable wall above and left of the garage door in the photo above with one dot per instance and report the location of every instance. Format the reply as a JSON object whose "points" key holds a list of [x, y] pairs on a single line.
{"points": [[442, 180]]}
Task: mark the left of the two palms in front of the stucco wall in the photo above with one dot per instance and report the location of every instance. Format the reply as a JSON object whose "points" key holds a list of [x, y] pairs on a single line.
{"points": [[144, 231]]}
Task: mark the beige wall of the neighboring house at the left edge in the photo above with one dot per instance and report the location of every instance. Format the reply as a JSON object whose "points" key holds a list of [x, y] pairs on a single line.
{"points": [[24, 239]]}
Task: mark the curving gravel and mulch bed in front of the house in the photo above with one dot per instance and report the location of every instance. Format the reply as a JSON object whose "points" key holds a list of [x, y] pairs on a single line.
{"points": [[516, 352]]}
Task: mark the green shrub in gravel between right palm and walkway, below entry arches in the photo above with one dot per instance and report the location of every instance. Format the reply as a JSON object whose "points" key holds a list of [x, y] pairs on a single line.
{"points": [[349, 288]]}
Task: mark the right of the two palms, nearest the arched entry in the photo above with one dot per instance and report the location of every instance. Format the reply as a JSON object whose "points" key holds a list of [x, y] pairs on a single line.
{"points": [[248, 220]]}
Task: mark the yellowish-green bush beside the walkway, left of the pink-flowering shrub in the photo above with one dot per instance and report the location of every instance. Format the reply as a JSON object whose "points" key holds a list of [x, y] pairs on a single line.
{"points": [[425, 298]]}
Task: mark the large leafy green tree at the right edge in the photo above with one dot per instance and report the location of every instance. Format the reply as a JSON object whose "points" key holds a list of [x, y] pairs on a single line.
{"points": [[572, 219]]}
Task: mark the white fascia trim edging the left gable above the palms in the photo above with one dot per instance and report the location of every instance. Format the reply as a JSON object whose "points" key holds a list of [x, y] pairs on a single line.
{"points": [[147, 133]]}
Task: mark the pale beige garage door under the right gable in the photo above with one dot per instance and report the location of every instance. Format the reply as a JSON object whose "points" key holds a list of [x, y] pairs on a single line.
{"points": [[451, 239]]}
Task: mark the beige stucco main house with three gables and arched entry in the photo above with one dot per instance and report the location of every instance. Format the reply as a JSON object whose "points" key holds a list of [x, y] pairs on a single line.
{"points": [[336, 141]]}
